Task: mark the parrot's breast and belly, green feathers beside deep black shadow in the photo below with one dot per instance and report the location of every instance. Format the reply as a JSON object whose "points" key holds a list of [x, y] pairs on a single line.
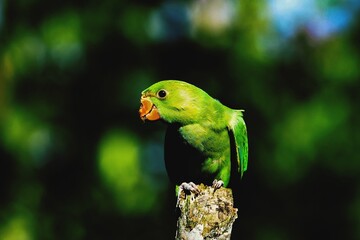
{"points": [[195, 153]]}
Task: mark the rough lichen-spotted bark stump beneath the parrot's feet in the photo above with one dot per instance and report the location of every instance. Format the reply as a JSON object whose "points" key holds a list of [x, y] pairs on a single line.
{"points": [[207, 215]]}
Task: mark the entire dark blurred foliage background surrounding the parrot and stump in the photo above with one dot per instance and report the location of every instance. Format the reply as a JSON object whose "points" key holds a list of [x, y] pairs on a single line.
{"points": [[76, 162]]}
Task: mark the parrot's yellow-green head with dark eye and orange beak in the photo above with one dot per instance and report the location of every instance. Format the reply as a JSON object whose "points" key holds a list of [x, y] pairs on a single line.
{"points": [[171, 101]]}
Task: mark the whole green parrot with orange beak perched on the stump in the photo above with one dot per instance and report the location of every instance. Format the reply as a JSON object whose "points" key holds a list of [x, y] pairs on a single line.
{"points": [[205, 142]]}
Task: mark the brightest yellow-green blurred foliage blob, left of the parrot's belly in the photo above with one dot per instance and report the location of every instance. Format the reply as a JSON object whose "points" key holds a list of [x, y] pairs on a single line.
{"points": [[119, 156]]}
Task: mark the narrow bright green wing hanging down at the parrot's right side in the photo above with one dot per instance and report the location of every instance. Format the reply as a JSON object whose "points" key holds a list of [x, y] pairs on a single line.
{"points": [[239, 133]]}
